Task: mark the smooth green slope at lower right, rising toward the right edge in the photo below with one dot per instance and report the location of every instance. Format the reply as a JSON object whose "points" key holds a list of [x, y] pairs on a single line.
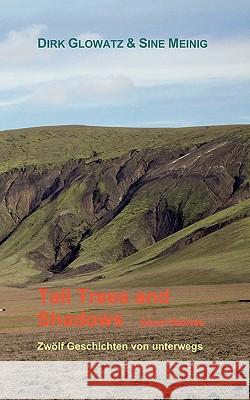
{"points": [[221, 257]]}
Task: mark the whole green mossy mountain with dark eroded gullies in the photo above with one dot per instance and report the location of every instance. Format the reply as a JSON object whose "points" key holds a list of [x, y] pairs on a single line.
{"points": [[123, 206]]}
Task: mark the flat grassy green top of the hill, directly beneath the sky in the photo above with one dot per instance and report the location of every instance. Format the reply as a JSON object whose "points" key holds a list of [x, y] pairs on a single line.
{"points": [[54, 145]]}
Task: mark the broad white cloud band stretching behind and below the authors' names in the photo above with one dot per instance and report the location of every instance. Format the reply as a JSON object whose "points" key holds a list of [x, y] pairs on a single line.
{"points": [[86, 77]]}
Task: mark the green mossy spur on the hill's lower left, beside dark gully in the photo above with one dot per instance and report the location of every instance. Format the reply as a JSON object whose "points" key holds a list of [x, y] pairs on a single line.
{"points": [[34, 232]]}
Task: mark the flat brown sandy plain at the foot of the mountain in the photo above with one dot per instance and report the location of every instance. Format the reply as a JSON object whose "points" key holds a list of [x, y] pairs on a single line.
{"points": [[225, 334]]}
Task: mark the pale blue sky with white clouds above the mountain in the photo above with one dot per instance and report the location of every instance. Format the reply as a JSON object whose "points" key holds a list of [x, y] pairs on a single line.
{"points": [[122, 87]]}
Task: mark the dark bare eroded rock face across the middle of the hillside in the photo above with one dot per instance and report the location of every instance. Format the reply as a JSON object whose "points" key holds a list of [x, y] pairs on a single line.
{"points": [[187, 185]]}
